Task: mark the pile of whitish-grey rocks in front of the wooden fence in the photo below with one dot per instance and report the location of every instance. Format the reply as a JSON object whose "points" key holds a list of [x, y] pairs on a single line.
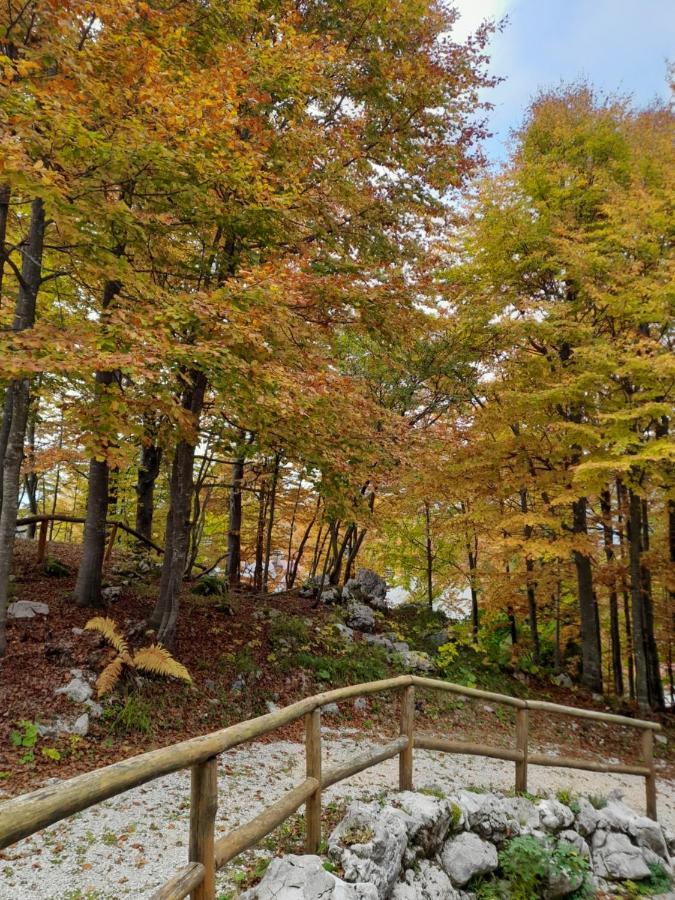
{"points": [[416, 846]]}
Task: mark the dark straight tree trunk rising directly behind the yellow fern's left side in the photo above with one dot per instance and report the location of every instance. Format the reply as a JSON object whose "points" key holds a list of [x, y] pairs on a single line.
{"points": [[89, 576]]}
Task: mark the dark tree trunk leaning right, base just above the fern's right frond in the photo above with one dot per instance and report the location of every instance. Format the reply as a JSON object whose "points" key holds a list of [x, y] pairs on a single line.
{"points": [[165, 614]]}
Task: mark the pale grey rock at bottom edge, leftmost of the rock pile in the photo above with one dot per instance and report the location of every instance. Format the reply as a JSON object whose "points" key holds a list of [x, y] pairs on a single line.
{"points": [[304, 878]]}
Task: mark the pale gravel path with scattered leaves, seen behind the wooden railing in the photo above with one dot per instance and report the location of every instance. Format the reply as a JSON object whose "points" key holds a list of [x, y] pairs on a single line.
{"points": [[128, 846]]}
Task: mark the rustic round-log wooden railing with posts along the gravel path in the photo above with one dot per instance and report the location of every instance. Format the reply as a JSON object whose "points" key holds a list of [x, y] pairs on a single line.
{"points": [[28, 814]]}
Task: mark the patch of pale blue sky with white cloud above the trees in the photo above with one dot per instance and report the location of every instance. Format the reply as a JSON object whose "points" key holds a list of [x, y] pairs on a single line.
{"points": [[616, 45]]}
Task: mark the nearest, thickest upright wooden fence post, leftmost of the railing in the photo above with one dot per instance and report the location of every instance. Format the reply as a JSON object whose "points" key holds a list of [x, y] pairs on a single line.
{"points": [[203, 808]]}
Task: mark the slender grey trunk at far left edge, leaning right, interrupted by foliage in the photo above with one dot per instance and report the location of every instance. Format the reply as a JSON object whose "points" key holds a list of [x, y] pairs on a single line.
{"points": [[18, 391]]}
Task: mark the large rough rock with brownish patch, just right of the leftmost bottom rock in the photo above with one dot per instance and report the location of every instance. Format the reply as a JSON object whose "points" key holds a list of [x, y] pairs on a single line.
{"points": [[369, 844]]}
